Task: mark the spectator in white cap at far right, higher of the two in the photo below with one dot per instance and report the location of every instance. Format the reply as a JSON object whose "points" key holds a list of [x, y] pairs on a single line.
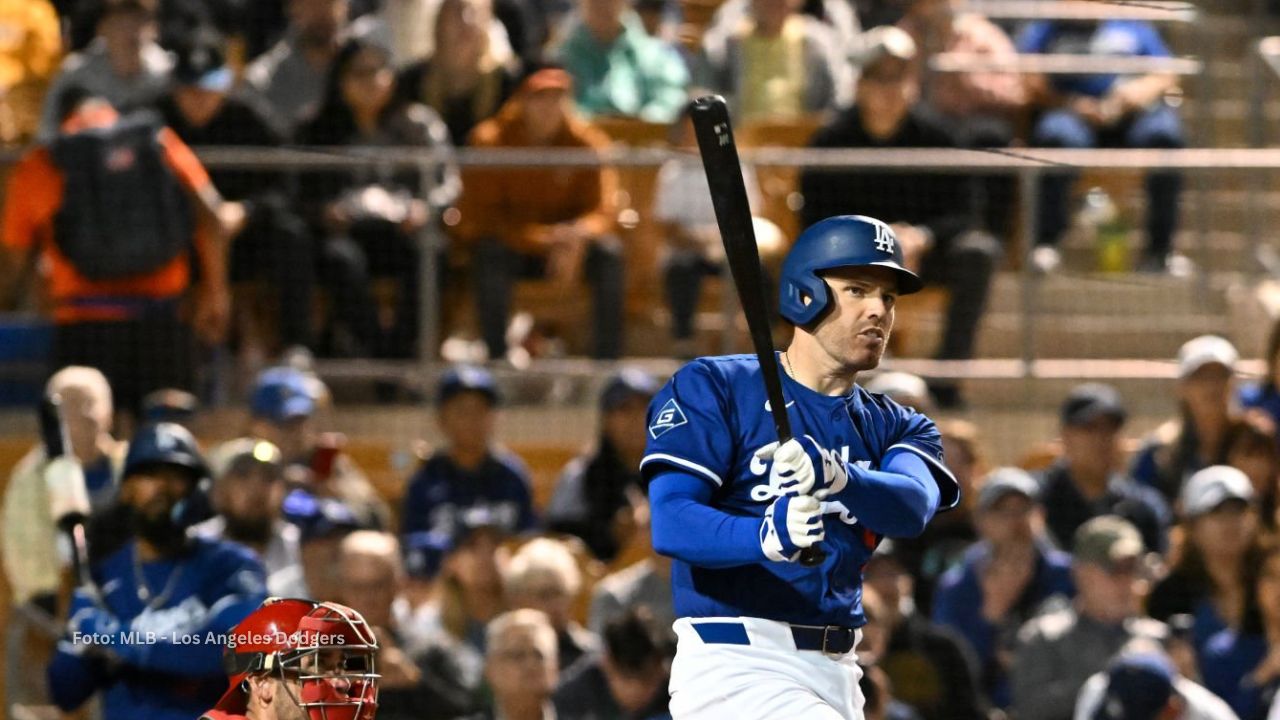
{"points": [[1197, 438]]}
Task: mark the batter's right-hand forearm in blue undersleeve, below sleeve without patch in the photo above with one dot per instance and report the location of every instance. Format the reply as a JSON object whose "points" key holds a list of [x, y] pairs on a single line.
{"points": [[898, 502]]}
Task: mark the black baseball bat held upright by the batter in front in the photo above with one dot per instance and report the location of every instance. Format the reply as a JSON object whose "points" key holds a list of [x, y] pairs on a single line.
{"points": [[734, 216]]}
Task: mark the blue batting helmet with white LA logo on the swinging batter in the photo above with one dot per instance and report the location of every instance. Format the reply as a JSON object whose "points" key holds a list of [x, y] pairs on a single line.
{"points": [[838, 243]]}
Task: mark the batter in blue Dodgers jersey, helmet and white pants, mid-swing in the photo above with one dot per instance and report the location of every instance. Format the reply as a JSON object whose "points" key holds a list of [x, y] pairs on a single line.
{"points": [[762, 635]]}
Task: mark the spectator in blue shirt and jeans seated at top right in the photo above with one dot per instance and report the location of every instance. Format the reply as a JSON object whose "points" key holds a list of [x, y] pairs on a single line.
{"points": [[1105, 111]]}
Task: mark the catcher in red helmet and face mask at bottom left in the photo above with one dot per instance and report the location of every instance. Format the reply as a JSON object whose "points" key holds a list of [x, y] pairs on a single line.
{"points": [[300, 660]]}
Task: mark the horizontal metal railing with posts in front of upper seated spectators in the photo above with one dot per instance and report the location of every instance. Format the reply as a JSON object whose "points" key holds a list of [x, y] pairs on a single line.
{"points": [[1028, 166]]}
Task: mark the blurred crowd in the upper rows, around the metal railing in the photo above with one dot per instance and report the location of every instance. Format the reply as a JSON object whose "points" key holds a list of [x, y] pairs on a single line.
{"points": [[335, 258]]}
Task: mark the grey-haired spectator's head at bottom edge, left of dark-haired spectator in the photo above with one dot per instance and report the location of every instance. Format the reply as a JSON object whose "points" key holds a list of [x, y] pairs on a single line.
{"points": [[522, 667]]}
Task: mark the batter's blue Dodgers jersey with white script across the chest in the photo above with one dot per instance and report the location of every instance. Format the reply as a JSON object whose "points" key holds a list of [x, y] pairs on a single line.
{"points": [[710, 421]]}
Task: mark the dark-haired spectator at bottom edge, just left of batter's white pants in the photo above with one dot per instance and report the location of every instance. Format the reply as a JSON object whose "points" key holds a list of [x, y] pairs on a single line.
{"points": [[628, 681]]}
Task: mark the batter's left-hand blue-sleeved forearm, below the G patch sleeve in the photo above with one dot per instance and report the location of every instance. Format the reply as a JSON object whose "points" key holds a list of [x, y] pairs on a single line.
{"points": [[687, 528]]}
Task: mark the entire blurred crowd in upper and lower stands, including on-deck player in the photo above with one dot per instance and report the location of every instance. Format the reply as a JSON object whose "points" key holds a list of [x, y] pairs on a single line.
{"points": [[1107, 577]]}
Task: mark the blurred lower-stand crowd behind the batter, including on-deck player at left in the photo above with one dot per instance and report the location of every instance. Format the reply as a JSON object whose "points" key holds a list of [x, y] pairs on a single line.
{"points": [[1105, 576]]}
